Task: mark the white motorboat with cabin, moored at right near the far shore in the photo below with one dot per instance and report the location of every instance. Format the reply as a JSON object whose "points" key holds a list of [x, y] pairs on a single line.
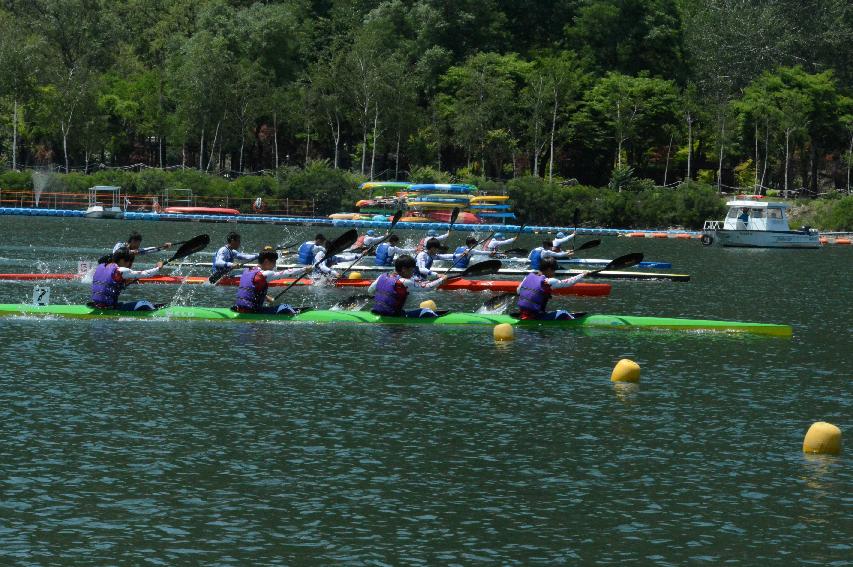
{"points": [[758, 224]]}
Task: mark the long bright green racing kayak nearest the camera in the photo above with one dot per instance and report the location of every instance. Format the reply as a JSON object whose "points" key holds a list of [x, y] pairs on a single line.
{"points": [[620, 322]]}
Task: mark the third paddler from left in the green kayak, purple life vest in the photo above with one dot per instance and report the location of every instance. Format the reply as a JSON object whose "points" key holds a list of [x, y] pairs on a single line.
{"points": [[391, 290]]}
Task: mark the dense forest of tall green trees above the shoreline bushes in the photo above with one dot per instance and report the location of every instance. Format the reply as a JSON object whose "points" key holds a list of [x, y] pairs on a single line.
{"points": [[736, 92]]}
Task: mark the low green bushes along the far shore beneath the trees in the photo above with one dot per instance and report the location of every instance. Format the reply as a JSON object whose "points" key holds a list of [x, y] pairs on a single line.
{"points": [[536, 201]]}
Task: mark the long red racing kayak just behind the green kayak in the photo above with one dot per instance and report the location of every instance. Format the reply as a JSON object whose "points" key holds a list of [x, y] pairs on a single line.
{"points": [[497, 286]]}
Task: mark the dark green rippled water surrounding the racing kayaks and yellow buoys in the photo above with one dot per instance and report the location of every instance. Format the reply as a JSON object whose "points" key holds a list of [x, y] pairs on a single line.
{"points": [[143, 442]]}
